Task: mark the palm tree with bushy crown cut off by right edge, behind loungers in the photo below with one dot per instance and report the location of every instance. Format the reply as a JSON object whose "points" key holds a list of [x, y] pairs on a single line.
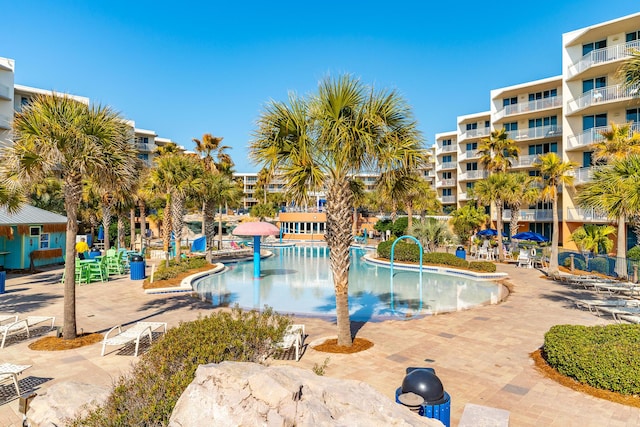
{"points": [[614, 190]]}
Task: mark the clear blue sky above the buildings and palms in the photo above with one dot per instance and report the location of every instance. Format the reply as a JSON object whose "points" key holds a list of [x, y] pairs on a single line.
{"points": [[188, 68]]}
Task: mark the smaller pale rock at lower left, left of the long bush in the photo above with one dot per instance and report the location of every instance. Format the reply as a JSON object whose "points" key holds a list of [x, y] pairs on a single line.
{"points": [[64, 400]]}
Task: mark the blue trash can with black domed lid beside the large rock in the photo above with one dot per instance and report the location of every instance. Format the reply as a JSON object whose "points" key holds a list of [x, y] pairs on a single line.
{"points": [[422, 383]]}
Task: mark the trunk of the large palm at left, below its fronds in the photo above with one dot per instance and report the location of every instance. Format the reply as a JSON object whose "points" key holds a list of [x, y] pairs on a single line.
{"points": [[72, 197]]}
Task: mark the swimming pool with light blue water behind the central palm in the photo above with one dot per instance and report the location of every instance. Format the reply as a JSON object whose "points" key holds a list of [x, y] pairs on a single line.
{"points": [[298, 280]]}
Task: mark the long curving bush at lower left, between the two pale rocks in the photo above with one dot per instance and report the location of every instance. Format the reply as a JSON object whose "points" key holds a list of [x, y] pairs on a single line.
{"points": [[147, 396]]}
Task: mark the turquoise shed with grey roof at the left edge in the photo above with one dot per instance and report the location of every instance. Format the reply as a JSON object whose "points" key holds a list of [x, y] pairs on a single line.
{"points": [[32, 237]]}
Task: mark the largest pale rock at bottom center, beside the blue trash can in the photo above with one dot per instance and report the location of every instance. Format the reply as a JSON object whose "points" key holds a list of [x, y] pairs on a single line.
{"points": [[248, 394]]}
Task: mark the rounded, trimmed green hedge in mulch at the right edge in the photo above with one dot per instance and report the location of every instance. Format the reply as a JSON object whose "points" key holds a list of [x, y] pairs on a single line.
{"points": [[605, 357]]}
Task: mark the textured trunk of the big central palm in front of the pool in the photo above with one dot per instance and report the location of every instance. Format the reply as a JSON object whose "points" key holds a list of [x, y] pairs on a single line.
{"points": [[338, 235]]}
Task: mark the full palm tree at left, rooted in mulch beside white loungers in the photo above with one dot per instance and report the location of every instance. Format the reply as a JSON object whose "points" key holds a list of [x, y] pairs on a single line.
{"points": [[56, 135]]}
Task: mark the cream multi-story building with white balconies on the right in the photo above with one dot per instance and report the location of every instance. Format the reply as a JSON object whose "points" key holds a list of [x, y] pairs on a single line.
{"points": [[564, 114]]}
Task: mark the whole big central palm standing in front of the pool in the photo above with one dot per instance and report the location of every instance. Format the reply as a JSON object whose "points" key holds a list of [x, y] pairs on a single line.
{"points": [[323, 141]]}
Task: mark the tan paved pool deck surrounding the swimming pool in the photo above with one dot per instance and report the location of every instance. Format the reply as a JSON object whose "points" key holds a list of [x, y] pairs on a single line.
{"points": [[481, 355]]}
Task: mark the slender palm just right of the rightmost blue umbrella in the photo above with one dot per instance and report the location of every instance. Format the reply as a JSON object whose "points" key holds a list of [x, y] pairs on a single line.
{"points": [[553, 174]]}
